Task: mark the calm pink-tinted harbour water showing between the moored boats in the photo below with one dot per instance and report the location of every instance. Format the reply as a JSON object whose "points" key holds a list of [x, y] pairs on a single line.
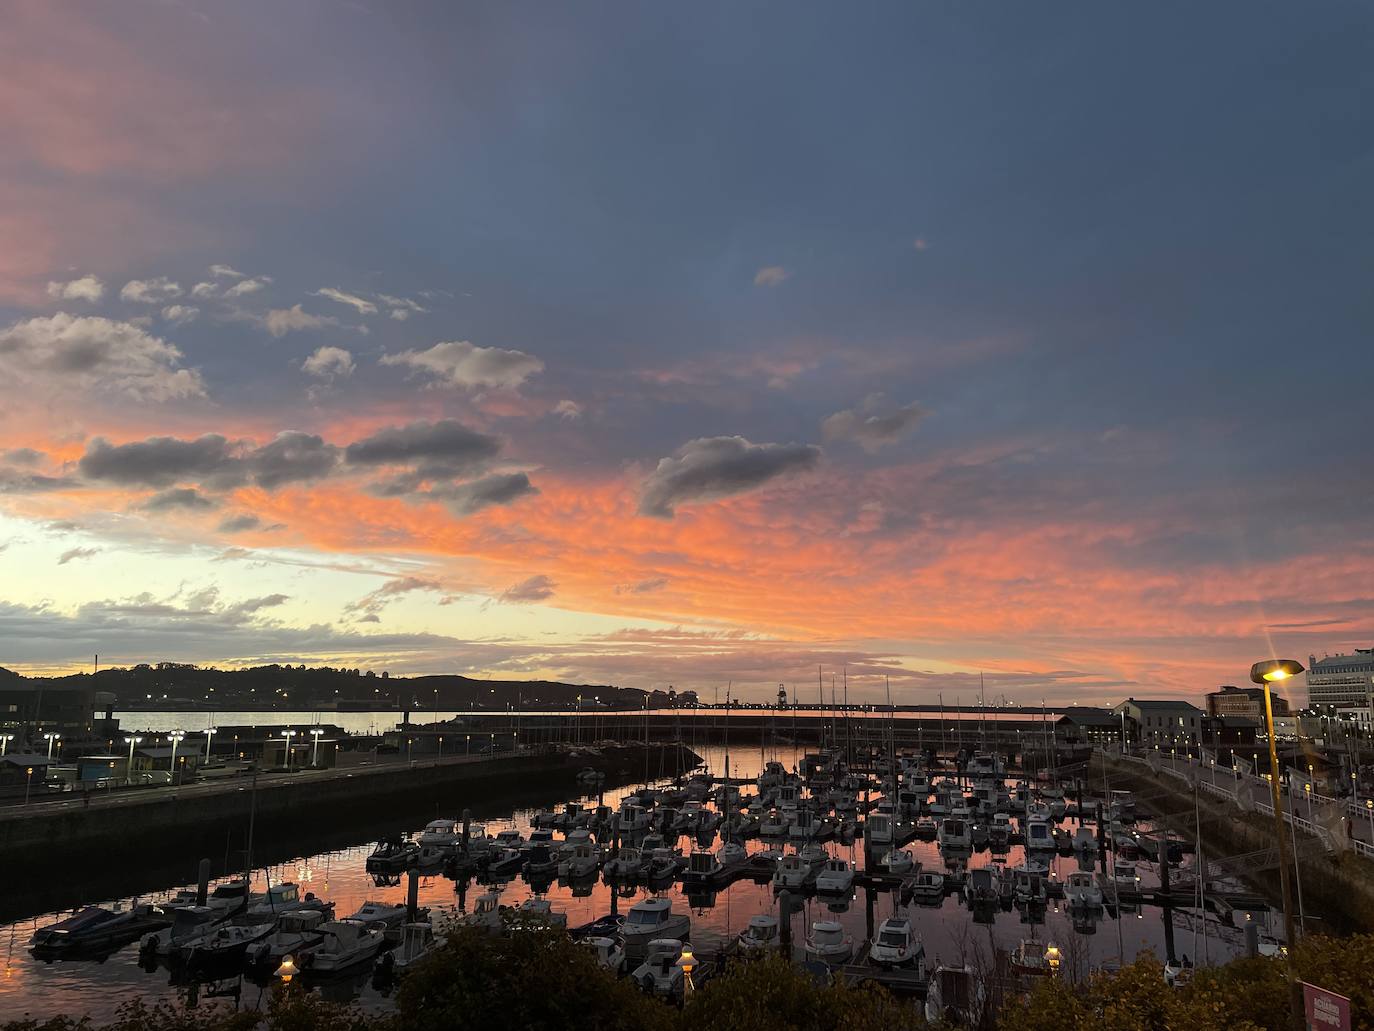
{"points": [[32, 988]]}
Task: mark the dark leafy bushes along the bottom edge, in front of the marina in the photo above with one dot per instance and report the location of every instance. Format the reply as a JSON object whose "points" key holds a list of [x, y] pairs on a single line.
{"points": [[542, 981]]}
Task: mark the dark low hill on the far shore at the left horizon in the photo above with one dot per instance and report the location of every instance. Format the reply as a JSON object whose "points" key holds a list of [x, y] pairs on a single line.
{"points": [[297, 687]]}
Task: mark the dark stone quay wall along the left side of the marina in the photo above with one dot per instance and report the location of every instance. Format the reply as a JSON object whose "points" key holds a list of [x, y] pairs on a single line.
{"points": [[139, 841]]}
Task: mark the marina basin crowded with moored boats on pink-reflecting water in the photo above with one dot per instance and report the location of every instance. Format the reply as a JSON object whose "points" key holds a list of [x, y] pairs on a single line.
{"points": [[677, 860]]}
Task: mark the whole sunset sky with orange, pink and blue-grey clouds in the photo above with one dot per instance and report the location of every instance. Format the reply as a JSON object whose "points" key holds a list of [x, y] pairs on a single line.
{"points": [[690, 343]]}
